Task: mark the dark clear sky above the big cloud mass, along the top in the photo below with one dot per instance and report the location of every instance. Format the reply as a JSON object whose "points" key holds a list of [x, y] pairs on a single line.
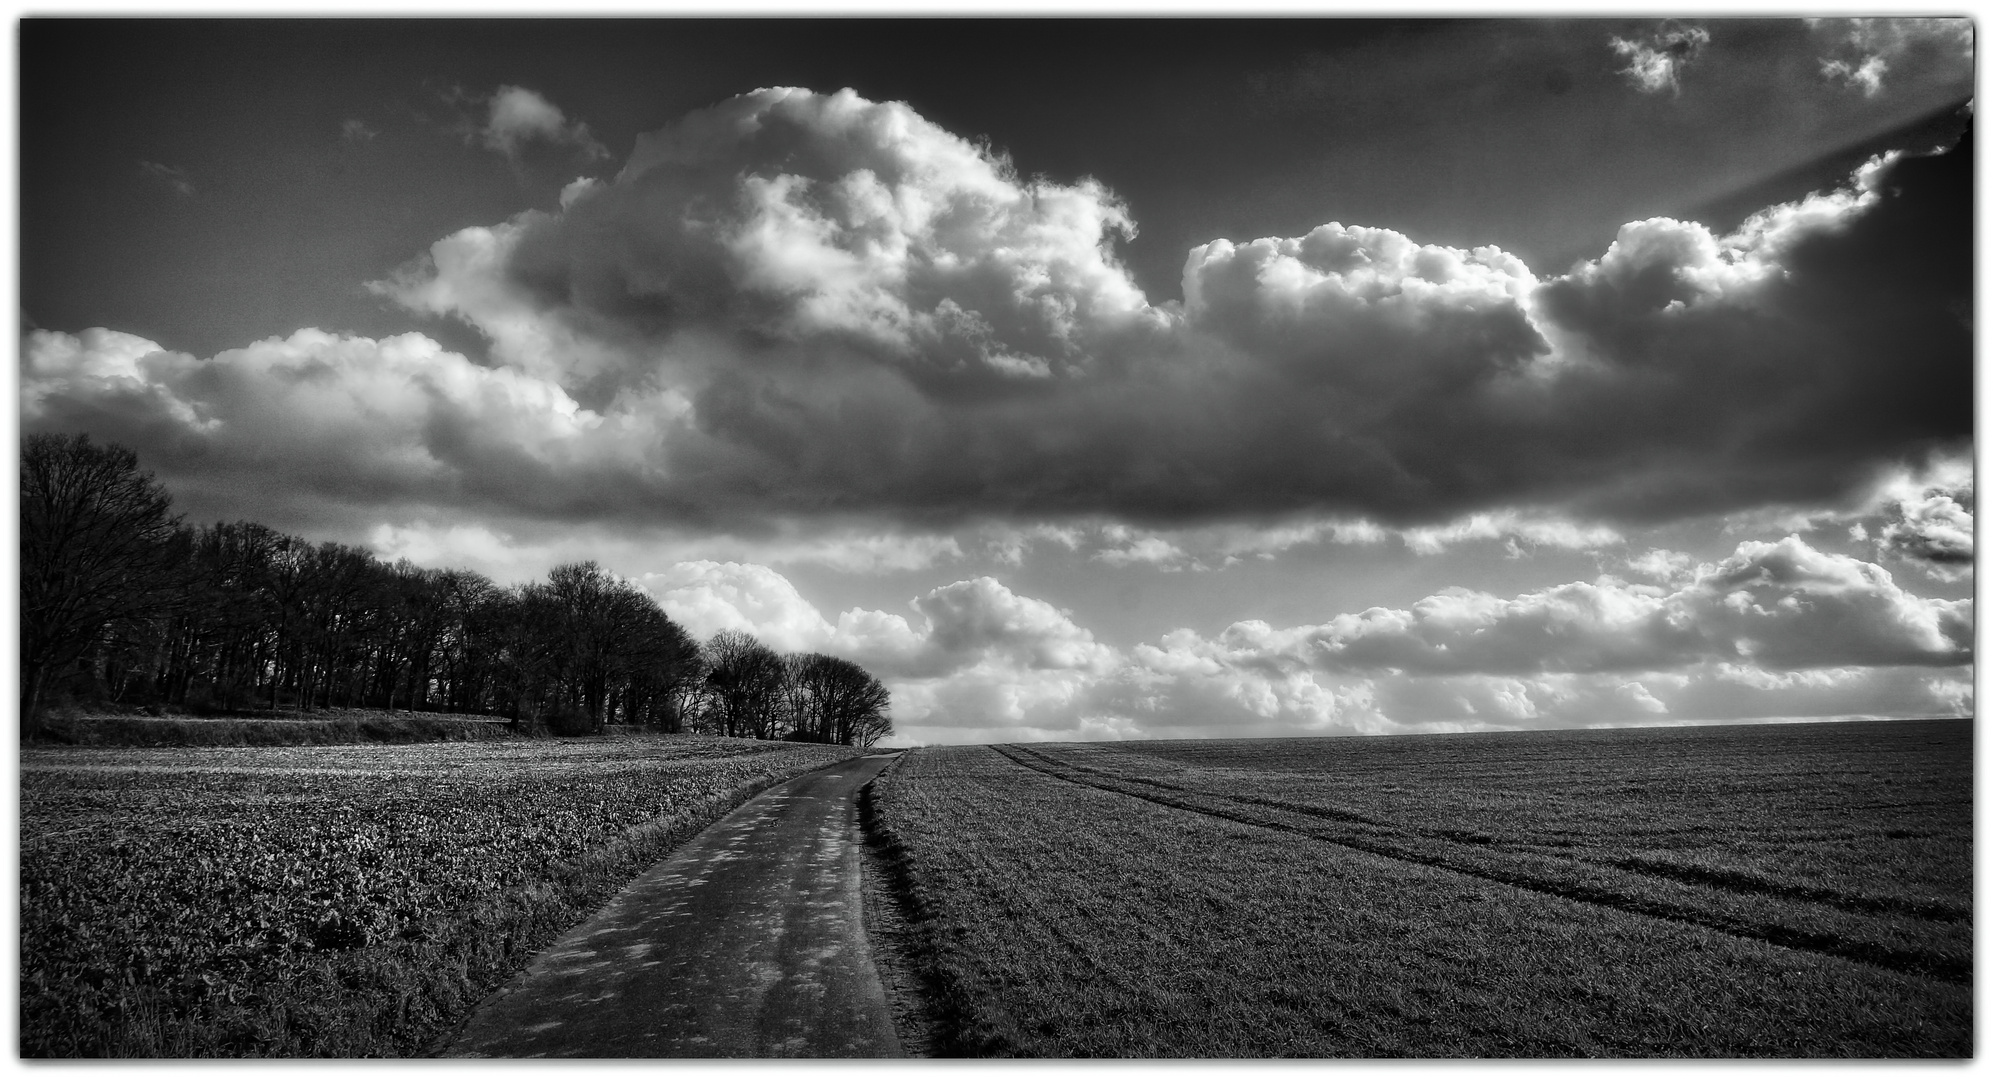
{"points": [[1458, 133]]}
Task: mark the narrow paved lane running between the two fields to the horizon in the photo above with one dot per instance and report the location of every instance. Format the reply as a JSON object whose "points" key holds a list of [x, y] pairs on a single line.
{"points": [[746, 944]]}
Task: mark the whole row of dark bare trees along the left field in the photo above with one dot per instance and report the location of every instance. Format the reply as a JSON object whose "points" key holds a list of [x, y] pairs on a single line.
{"points": [[125, 605]]}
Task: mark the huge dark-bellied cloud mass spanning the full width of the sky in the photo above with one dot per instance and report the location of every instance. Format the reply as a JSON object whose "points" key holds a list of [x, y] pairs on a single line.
{"points": [[796, 304]]}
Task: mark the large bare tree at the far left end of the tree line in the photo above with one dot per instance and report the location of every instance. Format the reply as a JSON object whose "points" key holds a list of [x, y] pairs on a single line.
{"points": [[99, 547]]}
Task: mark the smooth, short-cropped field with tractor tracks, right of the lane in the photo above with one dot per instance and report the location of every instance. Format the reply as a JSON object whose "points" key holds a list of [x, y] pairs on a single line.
{"points": [[1693, 892]]}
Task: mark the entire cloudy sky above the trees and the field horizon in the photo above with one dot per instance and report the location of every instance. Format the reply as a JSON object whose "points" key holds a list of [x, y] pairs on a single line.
{"points": [[1107, 380]]}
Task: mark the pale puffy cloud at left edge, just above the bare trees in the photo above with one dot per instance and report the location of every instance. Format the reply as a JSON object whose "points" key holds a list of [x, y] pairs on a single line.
{"points": [[314, 425]]}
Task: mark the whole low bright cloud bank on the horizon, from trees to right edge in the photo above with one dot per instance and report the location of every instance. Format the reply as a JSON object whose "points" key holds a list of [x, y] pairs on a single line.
{"points": [[1777, 629]]}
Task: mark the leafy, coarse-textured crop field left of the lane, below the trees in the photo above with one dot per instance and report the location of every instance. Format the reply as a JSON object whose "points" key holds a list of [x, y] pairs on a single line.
{"points": [[334, 902]]}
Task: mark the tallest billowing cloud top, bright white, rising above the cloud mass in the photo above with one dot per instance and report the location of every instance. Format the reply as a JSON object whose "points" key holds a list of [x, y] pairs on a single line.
{"points": [[834, 222]]}
